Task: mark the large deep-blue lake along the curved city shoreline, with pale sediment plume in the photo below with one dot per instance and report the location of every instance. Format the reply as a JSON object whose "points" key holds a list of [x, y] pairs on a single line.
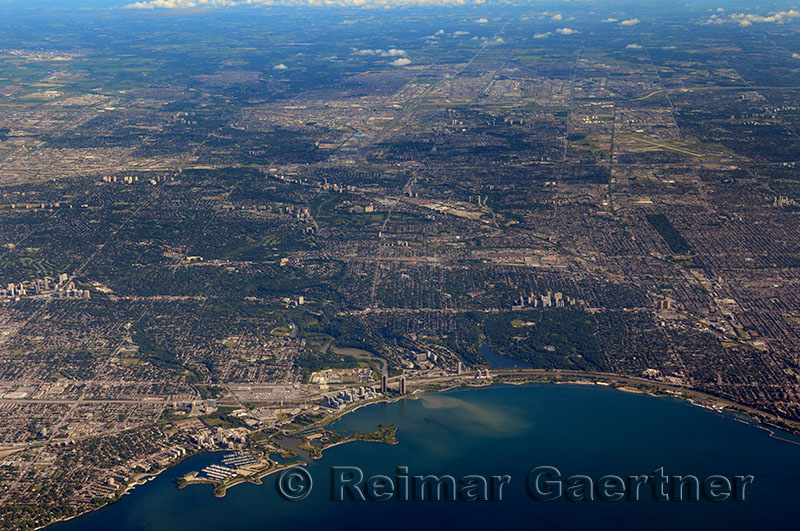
{"points": [[502, 430]]}
